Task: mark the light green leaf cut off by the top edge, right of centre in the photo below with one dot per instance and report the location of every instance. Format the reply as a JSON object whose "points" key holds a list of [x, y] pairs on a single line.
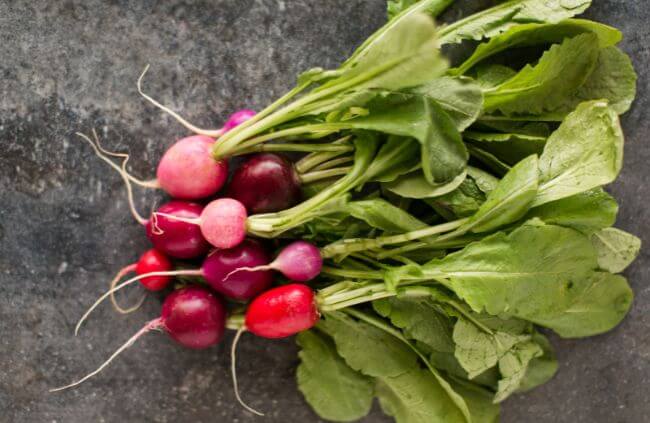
{"points": [[498, 19]]}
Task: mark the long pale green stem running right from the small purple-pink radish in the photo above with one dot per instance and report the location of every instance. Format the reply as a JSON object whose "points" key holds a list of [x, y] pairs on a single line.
{"points": [[352, 245]]}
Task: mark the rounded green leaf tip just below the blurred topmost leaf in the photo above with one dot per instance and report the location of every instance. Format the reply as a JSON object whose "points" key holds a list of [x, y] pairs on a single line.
{"points": [[460, 97]]}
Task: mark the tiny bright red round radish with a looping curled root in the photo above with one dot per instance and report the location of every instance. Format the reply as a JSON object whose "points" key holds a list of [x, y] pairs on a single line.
{"points": [[151, 261]]}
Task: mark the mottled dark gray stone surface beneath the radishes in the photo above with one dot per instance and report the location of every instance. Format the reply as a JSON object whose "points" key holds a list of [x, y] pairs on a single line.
{"points": [[64, 226]]}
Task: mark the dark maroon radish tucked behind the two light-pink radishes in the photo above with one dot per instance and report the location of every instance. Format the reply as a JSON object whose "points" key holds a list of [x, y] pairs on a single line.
{"points": [[265, 183]]}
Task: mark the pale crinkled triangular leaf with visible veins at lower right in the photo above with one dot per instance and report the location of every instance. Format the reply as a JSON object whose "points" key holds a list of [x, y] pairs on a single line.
{"points": [[477, 350]]}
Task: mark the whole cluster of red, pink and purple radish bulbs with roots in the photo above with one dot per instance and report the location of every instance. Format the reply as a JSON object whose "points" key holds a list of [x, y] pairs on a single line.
{"points": [[234, 267]]}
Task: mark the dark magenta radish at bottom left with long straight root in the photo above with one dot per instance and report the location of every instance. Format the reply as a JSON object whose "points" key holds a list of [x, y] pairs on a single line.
{"points": [[193, 316]]}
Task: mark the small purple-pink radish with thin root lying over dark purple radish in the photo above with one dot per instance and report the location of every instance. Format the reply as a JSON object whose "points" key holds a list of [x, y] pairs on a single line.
{"points": [[299, 261]]}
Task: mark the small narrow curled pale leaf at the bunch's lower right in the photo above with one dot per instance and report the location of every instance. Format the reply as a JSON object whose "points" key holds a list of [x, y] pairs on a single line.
{"points": [[513, 367]]}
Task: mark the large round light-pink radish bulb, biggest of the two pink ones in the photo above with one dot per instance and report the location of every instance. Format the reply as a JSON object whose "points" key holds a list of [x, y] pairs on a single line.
{"points": [[188, 171]]}
